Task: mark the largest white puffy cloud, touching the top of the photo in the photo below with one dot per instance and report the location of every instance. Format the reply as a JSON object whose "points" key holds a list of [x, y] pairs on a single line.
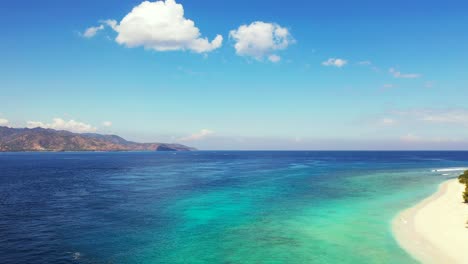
{"points": [[161, 26]]}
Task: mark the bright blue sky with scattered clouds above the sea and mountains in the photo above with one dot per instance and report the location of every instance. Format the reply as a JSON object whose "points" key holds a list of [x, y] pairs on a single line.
{"points": [[338, 75]]}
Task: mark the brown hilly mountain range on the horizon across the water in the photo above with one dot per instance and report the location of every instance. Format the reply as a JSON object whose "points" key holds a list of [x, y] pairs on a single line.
{"points": [[40, 139]]}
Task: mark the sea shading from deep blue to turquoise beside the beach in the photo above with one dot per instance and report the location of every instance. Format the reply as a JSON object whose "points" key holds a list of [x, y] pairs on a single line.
{"points": [[211, 207]]}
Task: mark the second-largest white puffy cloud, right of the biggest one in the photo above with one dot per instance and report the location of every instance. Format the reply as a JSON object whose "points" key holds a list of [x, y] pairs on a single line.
{"points": [[260, 39]]}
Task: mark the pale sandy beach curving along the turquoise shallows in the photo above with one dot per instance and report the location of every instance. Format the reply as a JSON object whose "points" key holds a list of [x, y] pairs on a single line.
{"points": [[435, 230]]}
